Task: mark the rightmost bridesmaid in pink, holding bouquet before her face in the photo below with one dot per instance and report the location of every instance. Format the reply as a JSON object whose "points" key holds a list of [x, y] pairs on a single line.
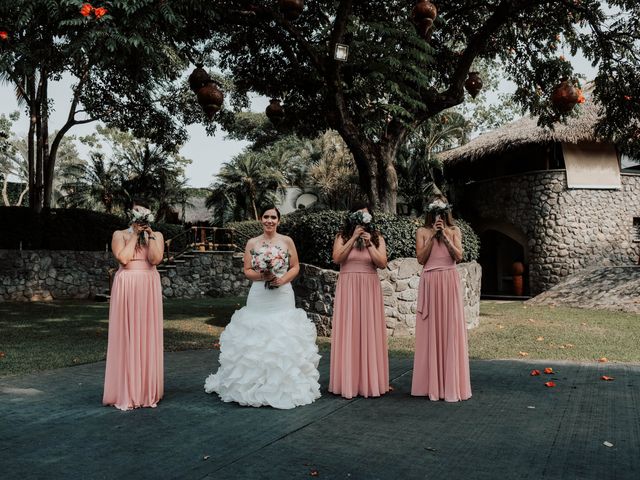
{"points": [[441, 362]]}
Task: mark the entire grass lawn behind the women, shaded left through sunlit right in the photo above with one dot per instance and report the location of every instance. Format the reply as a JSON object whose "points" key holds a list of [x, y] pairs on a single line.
{"points": [[40, 336]]}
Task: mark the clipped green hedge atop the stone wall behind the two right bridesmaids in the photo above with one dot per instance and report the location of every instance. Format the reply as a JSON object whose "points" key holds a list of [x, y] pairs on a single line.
{"points": [[314, 231]]}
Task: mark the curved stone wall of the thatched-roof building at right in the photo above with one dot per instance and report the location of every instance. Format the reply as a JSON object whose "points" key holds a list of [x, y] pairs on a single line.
{"points": [[566, 230]]}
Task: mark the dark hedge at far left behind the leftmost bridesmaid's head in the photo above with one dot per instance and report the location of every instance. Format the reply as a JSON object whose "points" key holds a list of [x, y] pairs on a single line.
{"points": [[65, 229]]}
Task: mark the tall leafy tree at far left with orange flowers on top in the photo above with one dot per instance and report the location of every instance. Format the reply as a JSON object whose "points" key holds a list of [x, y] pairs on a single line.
{"points": [[121, 56]]}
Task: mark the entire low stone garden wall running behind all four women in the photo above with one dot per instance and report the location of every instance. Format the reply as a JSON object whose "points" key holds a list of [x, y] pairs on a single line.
{"points": [[46, 275]]}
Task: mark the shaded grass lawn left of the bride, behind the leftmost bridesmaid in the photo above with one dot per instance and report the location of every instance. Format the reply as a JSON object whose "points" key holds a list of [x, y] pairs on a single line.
{"points": [[45, 335]]}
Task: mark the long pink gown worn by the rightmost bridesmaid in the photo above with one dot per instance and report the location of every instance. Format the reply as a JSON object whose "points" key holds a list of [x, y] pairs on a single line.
{"points": [[441, 362]]}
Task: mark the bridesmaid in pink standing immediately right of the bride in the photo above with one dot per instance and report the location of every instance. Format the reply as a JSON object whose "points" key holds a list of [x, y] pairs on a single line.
{"points": [[359, 356]]}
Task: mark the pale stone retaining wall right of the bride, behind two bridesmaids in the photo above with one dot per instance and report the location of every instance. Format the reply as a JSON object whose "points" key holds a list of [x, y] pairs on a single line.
{"points": [[315, 291]]}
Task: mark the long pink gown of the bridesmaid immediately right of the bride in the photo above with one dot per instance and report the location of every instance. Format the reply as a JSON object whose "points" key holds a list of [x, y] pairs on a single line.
{"points": [[359, 354]]}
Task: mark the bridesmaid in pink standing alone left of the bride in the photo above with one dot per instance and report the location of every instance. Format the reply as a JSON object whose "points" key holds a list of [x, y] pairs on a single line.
{"points": [[134, 375]]}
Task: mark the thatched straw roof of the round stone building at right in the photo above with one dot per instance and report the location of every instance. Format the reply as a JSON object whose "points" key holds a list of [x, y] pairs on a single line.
{"points": [[526, 131]]}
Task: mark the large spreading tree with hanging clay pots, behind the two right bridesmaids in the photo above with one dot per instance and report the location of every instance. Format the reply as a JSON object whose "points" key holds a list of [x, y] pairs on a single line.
{"points": [[396, 80]]}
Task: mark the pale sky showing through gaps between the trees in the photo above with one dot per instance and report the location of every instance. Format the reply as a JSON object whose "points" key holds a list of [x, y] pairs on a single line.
{"points": [[207, 153]]}
